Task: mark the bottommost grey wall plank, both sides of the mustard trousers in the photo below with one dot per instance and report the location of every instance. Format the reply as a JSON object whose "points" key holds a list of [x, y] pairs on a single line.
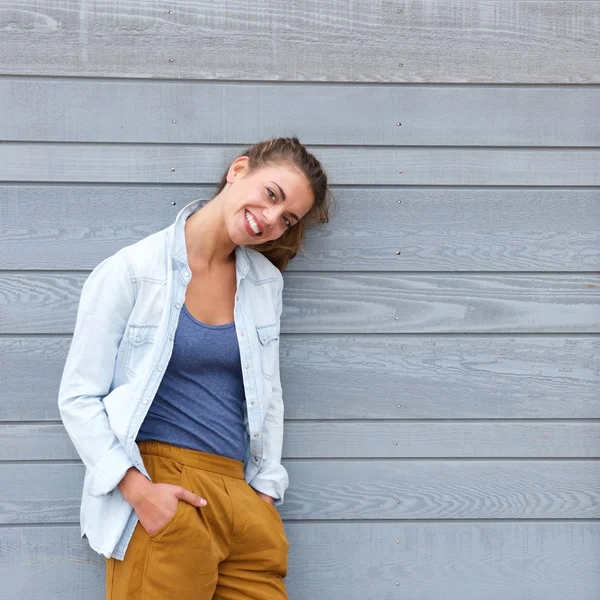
{"points": [[356, 561]]}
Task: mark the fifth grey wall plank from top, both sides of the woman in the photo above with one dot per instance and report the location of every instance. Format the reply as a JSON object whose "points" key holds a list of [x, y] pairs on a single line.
{"points": [[359, 303]]}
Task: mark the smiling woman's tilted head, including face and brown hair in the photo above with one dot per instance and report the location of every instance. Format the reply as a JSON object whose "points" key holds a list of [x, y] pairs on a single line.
{"points": [[273, 191]]}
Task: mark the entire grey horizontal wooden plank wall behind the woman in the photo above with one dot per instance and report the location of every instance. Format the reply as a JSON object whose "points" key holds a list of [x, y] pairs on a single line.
{"points": [[440, 347]]}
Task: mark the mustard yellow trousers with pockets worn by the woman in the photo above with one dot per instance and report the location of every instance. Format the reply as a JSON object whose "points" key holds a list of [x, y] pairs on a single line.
{"points": [[234, 548]]}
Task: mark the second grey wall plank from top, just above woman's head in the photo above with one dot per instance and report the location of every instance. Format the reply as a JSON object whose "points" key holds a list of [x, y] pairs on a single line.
{"points": [[67, 110]]}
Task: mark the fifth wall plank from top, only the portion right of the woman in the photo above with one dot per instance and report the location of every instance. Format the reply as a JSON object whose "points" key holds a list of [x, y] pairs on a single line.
{"points": [[387, 303]]}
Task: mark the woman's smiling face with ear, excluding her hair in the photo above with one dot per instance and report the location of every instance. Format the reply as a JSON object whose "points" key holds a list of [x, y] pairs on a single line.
{"points": [[261, 205]]}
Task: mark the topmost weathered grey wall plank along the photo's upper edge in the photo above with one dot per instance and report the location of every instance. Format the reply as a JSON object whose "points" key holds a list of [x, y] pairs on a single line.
{"points": [[494, 41]]}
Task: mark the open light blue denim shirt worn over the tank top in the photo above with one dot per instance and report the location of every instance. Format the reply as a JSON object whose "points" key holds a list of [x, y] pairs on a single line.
{"points": [[122, 343]]}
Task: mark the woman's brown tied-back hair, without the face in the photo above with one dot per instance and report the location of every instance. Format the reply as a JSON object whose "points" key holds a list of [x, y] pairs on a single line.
{"points": [[289, 151]]}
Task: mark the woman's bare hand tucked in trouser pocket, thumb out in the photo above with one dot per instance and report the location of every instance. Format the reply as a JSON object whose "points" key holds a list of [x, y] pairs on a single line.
{"points": [[155, 503]]}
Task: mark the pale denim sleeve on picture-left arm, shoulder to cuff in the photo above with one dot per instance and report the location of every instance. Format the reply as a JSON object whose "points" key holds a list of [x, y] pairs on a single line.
{"points": [[107, 299]]}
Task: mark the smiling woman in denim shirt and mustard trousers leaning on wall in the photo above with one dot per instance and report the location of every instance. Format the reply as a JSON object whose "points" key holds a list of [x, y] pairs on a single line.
{"points": [[171, 391]]}
